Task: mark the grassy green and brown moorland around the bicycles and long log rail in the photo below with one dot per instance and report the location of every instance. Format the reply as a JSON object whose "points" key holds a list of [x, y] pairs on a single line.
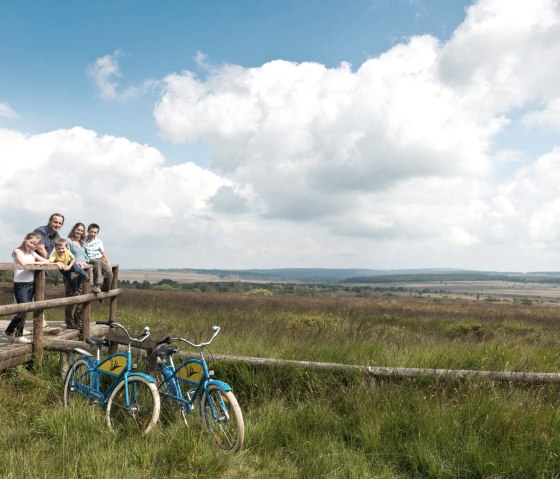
{"points": [[303, 423]]}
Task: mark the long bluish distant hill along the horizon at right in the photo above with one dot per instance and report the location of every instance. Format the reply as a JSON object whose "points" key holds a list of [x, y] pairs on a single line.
{"points": [[329, 275]]}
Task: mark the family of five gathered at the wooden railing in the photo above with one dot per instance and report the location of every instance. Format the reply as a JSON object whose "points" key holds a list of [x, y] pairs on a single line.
{"points": [[71, 255]]}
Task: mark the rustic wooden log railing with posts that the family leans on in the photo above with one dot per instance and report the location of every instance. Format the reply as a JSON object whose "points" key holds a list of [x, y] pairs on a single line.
{"points": [[40, 303]]}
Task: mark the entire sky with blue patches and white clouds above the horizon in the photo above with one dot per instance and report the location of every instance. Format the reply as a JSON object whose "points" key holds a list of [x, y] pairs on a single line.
{"points": [[378, 134]]}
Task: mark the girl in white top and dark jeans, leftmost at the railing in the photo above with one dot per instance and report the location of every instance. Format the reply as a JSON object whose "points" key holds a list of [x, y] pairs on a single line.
{"points": [[24, 285]]}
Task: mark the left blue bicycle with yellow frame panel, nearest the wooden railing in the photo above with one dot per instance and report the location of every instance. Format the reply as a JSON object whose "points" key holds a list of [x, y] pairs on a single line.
{"points": [[131, 398]]}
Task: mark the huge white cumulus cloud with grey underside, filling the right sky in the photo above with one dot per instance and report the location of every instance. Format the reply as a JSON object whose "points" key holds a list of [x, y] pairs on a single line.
{"points": [[403, 146]]}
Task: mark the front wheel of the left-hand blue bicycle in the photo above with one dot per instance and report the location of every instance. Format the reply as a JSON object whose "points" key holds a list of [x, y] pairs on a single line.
{"points": [[142, 411]]}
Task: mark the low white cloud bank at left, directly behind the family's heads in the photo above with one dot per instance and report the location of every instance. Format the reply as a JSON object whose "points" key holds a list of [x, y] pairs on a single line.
{"points": [[122, 185]]}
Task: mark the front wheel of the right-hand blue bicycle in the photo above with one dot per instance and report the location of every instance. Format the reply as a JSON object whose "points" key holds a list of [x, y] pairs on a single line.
{"points": [[222, 416]]}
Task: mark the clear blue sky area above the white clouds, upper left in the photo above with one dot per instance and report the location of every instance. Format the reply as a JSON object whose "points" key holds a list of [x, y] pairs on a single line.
{"points": [[47, 47]]}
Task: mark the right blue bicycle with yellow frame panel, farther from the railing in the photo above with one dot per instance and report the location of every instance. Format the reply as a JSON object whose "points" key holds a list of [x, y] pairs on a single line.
{"points": [[190, 383]]}
